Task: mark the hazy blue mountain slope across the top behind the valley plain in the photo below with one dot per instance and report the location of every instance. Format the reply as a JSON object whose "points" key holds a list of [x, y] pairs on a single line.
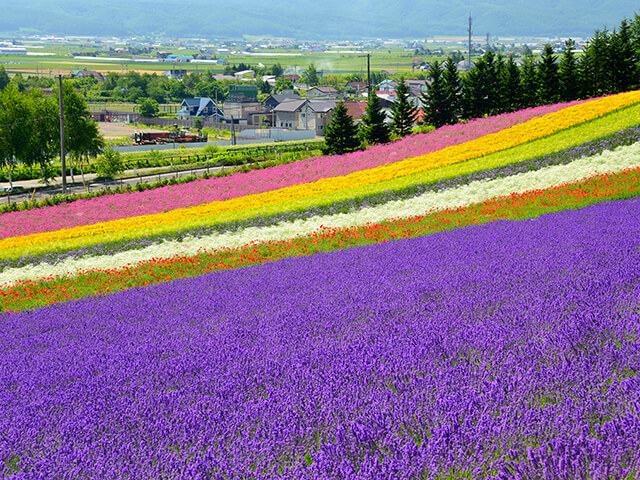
{"points": [[307, 19]]}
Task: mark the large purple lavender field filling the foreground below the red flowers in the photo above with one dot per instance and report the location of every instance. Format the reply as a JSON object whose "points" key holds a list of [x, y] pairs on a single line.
{"points": [[506, 350]]}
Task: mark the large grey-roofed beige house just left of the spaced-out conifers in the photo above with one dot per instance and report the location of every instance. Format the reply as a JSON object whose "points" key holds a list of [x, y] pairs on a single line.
{"points": [[304, 114]]}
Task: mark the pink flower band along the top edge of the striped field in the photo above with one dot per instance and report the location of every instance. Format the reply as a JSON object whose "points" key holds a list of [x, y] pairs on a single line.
{"points": [[112, 207]]}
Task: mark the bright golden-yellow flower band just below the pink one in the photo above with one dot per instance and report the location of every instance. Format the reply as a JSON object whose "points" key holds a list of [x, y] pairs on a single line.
{"points": [[505, 139]]}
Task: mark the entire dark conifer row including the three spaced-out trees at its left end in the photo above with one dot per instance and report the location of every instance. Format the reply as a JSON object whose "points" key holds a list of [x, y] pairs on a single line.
{"points": [[609, 64]]}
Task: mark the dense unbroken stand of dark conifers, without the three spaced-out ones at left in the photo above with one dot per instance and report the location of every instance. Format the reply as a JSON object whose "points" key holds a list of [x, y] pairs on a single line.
{"points": [[609, 64]]}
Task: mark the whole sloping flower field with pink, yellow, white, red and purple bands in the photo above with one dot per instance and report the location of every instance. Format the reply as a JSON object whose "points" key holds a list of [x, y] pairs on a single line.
{"points": [[459, 304]]}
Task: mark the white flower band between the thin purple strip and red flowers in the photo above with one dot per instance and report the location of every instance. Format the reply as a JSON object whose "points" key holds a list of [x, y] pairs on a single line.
{"points": [[479, 191]]}
